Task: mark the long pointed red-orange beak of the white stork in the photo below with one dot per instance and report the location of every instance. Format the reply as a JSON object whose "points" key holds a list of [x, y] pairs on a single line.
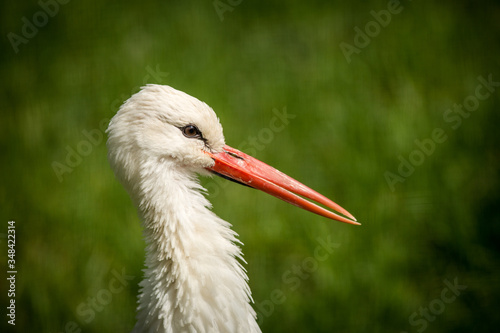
{"points": [[246, 170]]}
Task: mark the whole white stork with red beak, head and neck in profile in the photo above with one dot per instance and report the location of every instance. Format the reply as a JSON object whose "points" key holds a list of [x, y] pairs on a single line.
{"points": [[159, 140]]}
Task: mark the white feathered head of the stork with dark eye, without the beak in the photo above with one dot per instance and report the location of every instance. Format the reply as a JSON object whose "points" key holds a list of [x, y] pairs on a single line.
{"points": [[160, 122]]}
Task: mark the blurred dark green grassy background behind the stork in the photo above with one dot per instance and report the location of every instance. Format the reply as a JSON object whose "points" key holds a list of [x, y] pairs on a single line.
{"points": [[355, 118]]}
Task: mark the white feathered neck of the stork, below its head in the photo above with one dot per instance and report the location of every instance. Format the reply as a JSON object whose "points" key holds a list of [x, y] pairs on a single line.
{"points": [[192, 274]]}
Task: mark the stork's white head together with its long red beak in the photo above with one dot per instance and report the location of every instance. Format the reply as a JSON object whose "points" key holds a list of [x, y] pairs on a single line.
{"points": [[160, 123]]}
